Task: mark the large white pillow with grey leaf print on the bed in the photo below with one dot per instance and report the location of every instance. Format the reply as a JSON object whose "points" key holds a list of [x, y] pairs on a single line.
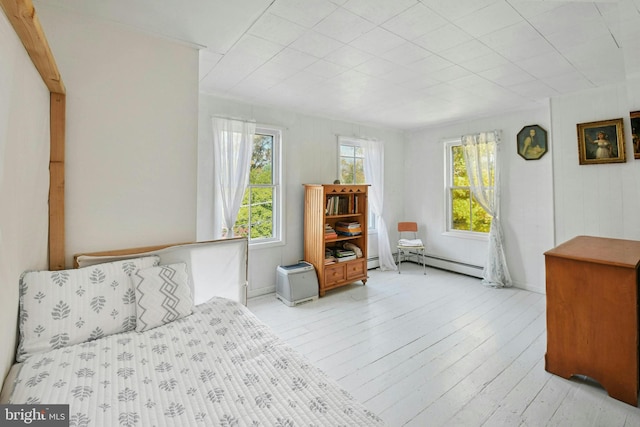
{"points": [[61, 308]]}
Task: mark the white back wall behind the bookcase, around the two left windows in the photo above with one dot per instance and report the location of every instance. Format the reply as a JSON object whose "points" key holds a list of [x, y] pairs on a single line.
{"points": [[310, 146]]}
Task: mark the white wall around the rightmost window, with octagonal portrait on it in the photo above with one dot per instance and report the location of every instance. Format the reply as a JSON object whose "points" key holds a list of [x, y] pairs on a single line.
{"points": [[527, 196]]}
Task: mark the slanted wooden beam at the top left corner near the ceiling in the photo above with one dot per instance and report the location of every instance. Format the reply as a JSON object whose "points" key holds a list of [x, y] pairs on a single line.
{"points": [[23, 18]]}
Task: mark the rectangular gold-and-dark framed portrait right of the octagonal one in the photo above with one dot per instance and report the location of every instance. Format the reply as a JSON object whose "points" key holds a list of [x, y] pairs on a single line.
{"points": [[601, 142]]}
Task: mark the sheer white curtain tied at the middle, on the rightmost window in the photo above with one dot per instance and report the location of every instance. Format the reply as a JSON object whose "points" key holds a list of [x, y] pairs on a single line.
{"points": [[481, 157]]}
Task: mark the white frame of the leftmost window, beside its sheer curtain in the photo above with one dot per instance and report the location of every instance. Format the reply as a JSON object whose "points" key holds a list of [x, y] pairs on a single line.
{"points": [[278, 238]]}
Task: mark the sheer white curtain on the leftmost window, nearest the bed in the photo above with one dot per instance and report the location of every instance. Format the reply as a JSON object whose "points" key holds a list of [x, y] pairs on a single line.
{"points": [[232, 149]]}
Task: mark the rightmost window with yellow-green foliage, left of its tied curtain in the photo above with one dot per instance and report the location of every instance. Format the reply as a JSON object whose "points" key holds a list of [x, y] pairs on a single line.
{"points": [[464, 213]]}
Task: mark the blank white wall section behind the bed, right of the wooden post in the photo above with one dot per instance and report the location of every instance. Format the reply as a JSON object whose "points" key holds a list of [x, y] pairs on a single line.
{"points": [[131, 142]]}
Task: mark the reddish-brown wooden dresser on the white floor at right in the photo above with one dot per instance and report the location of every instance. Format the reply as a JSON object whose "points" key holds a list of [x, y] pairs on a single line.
{"points": [[592, 313]]}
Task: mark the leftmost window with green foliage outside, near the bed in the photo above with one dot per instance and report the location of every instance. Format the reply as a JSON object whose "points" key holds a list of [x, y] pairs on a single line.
{"points": [[260, 212]]}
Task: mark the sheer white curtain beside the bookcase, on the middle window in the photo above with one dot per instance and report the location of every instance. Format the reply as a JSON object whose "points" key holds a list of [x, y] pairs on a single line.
{"points": [[374, 174]]}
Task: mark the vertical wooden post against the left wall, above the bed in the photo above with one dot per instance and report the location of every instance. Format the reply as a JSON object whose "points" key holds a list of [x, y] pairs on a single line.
{"points": [[56, 182]]}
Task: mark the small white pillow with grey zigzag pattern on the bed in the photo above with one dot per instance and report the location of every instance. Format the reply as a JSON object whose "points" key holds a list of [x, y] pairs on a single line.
{"points": [[162, 295]]}
